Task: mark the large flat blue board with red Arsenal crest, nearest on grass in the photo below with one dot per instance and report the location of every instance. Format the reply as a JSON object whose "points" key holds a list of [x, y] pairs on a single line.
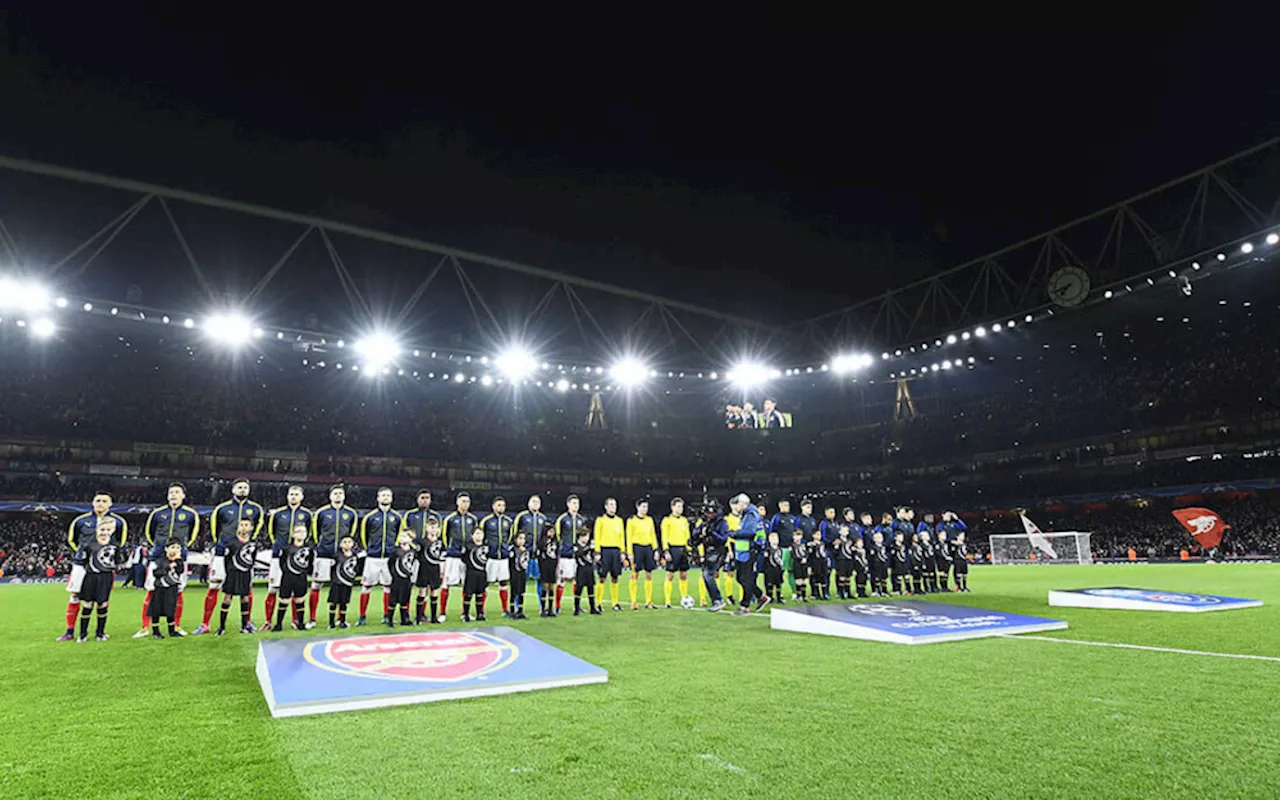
{"points": [[314, 676]]}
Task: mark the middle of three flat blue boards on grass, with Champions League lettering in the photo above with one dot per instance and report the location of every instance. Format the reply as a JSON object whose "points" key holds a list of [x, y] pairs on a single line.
{"points": [[907, 621]]}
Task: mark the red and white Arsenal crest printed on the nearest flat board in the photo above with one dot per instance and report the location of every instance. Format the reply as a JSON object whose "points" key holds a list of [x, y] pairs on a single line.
{"points": [[441, 657]]}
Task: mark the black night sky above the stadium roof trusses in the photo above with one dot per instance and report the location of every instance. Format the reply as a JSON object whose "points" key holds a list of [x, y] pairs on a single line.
{"points": [[822, 164]]}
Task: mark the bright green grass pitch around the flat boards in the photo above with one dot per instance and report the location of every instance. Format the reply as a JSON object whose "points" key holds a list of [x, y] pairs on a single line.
{"points": [[697, 706]]}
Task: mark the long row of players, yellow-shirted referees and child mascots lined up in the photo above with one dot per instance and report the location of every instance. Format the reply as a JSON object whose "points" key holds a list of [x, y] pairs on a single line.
{"points": [[426, 554]]}
